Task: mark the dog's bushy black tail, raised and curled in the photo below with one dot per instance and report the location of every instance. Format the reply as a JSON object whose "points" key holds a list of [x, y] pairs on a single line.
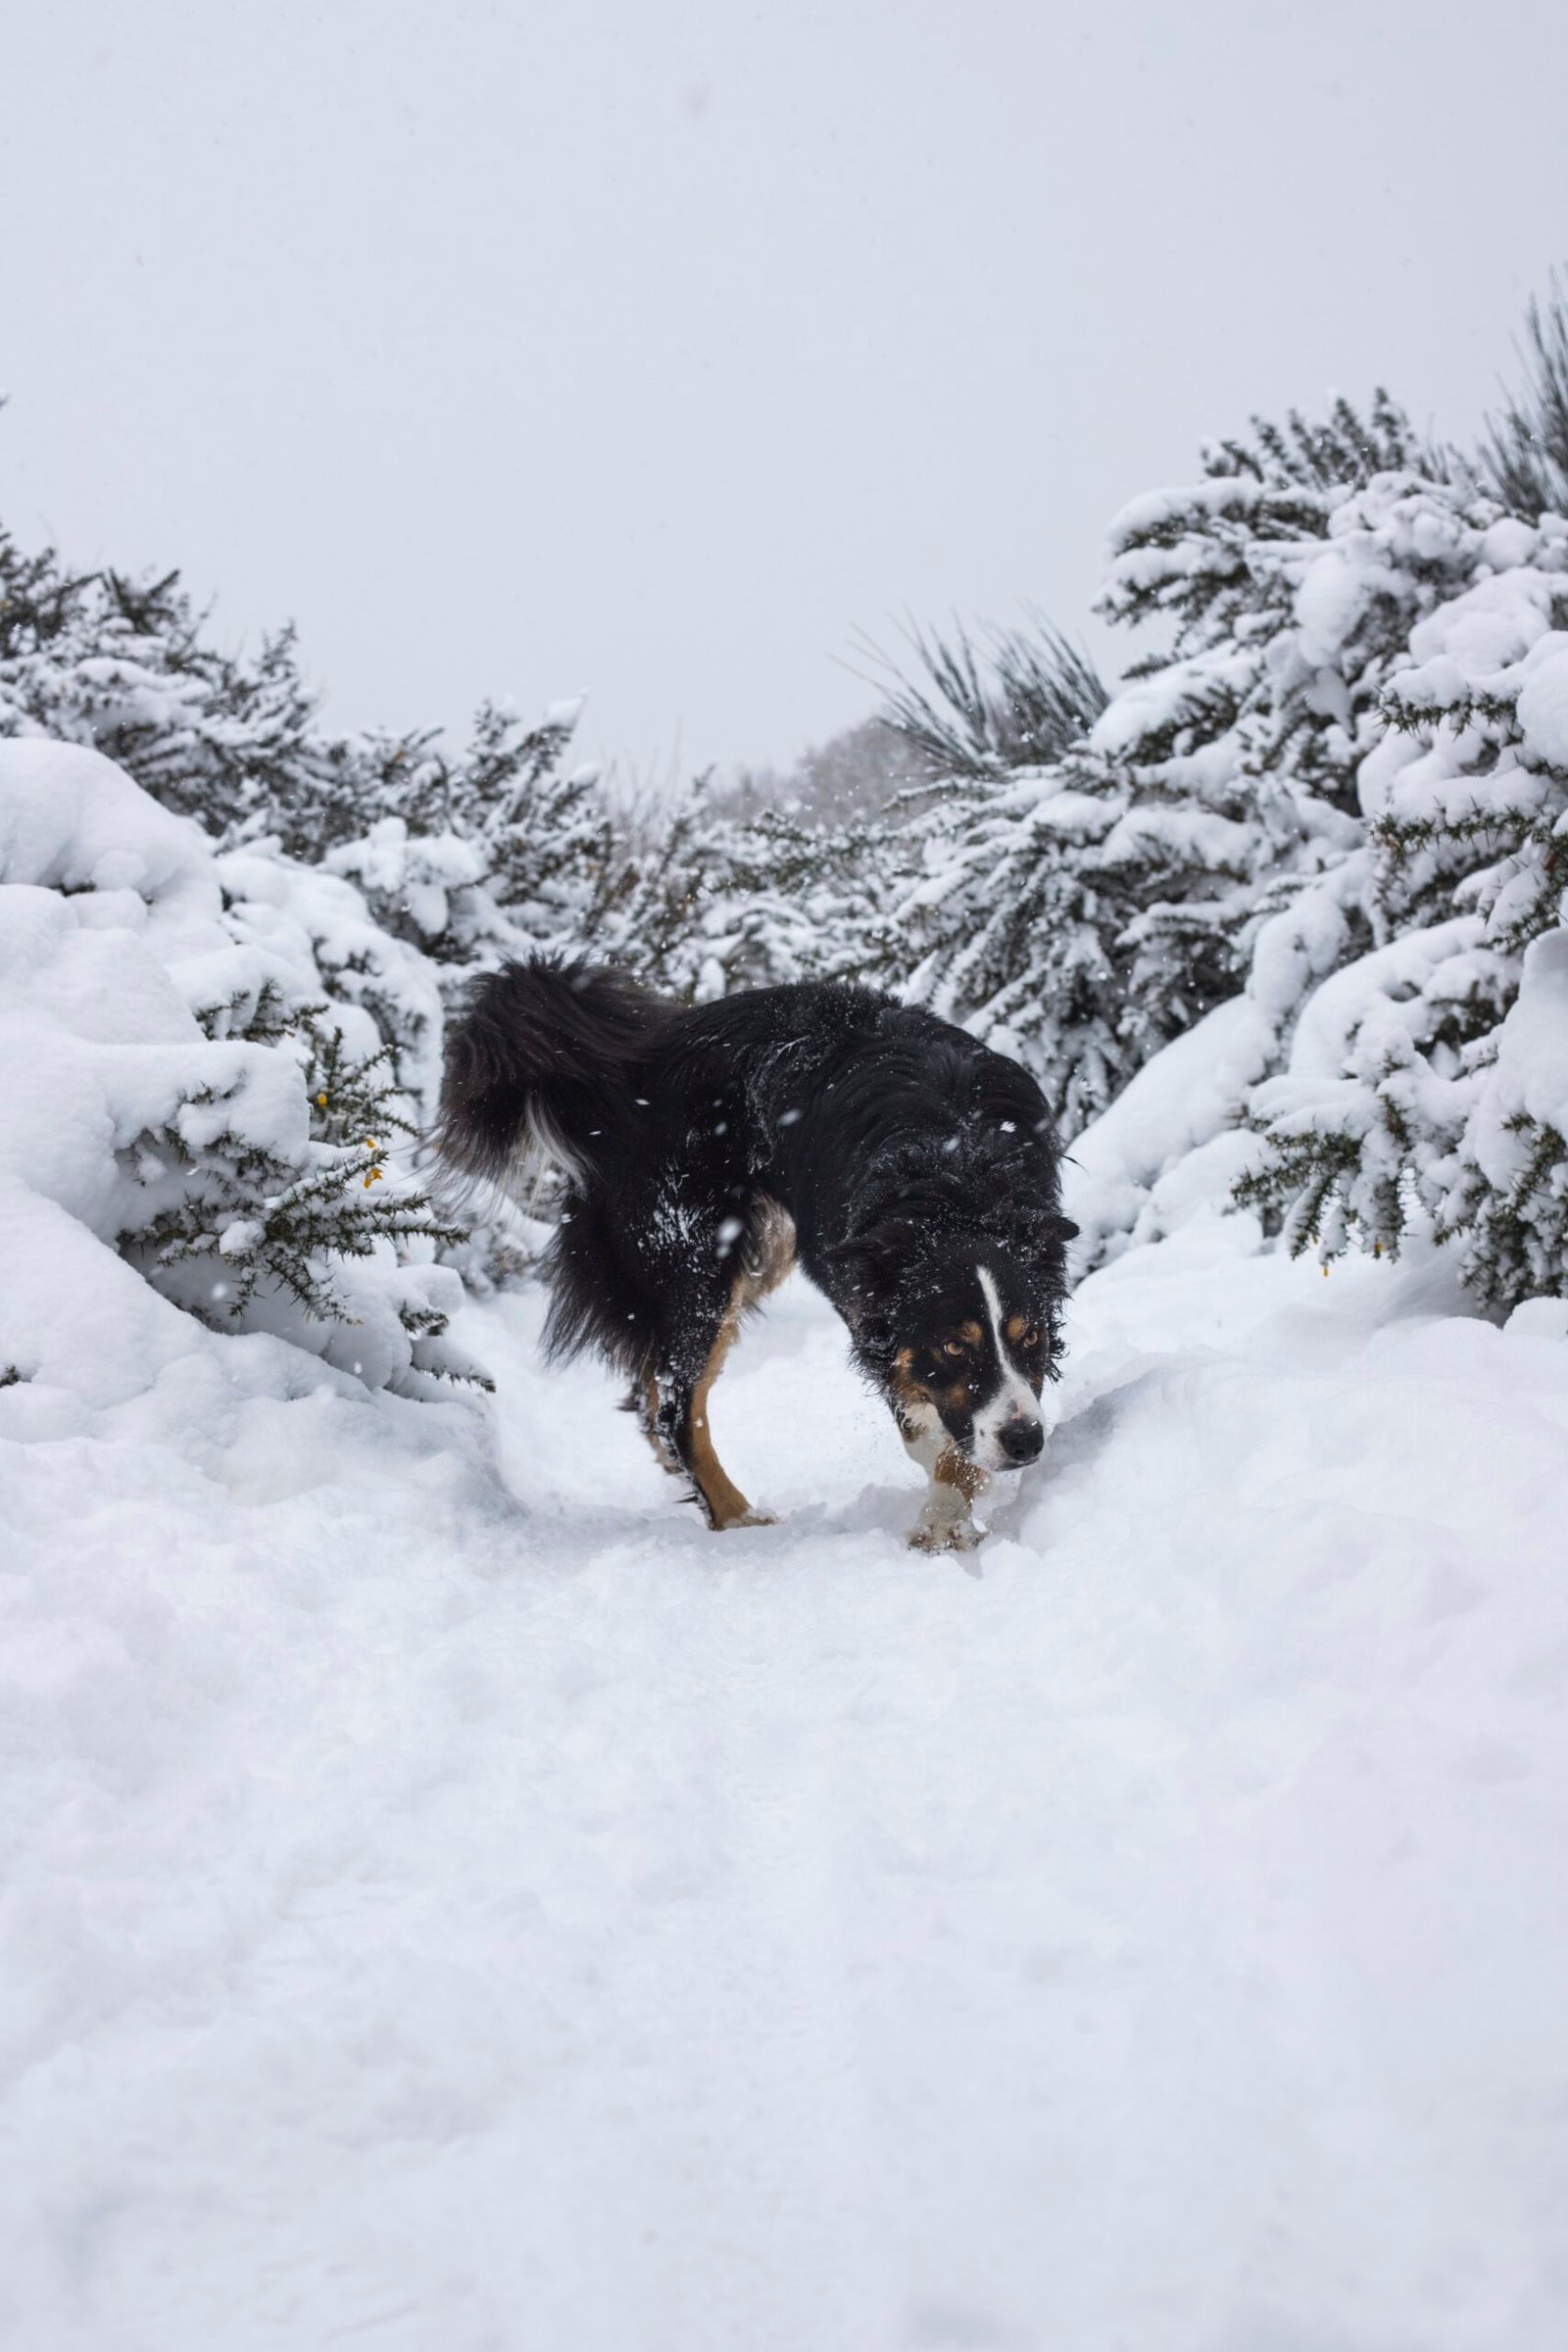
{"points": [[540, 1062]]}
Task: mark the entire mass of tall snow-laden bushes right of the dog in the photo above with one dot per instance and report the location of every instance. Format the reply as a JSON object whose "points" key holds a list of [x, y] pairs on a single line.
{"points": [[1261, 923]]}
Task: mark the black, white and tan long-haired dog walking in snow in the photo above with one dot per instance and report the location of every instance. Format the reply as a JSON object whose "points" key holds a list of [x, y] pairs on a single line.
{"points": [[911, 1172]]}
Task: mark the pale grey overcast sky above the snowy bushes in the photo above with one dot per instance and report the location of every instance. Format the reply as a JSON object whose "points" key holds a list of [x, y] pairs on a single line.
{"points": [[657, 349]]}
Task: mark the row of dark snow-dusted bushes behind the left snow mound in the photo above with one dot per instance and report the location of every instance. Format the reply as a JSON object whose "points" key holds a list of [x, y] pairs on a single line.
{"points": [[467, 855]]}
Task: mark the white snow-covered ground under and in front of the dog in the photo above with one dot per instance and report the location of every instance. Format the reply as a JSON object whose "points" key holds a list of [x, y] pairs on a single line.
{"points": [[453, 1904]]}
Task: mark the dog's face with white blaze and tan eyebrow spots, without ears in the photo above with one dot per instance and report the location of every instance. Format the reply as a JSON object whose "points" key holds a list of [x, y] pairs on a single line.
{"points": [[974, 1368]]}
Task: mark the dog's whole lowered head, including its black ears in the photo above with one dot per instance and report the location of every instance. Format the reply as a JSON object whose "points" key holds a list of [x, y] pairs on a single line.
{"points": [[965, 1344]]}
